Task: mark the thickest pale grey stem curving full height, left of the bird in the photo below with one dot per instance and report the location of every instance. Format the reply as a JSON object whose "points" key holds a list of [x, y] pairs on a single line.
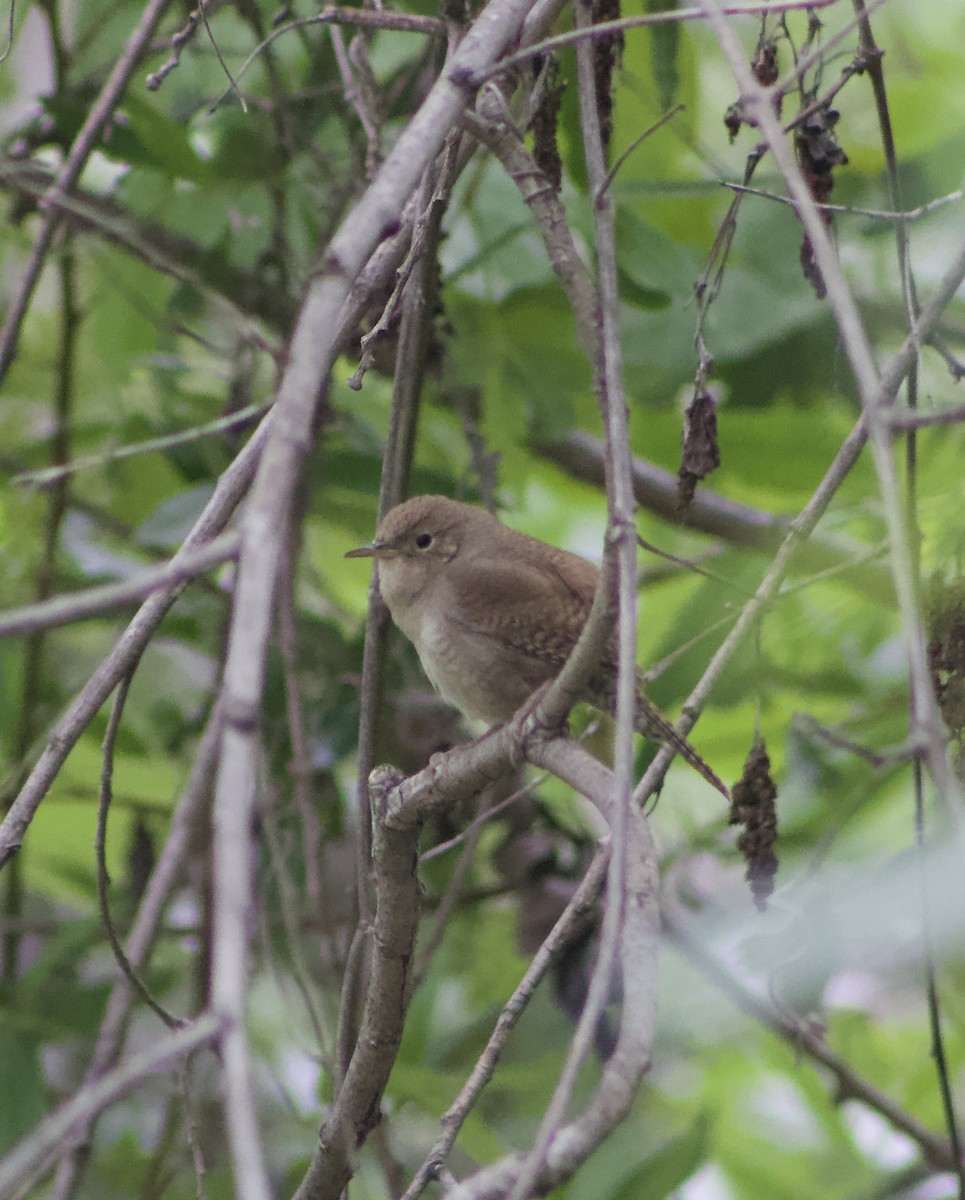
{"points": [[269, 513]]}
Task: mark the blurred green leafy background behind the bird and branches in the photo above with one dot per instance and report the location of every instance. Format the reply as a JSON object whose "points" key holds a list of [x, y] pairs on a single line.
{"points": [[177, 302]]}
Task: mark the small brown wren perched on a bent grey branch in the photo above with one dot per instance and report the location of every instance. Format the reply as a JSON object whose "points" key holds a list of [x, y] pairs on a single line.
{"points": [[495, 614]]}
